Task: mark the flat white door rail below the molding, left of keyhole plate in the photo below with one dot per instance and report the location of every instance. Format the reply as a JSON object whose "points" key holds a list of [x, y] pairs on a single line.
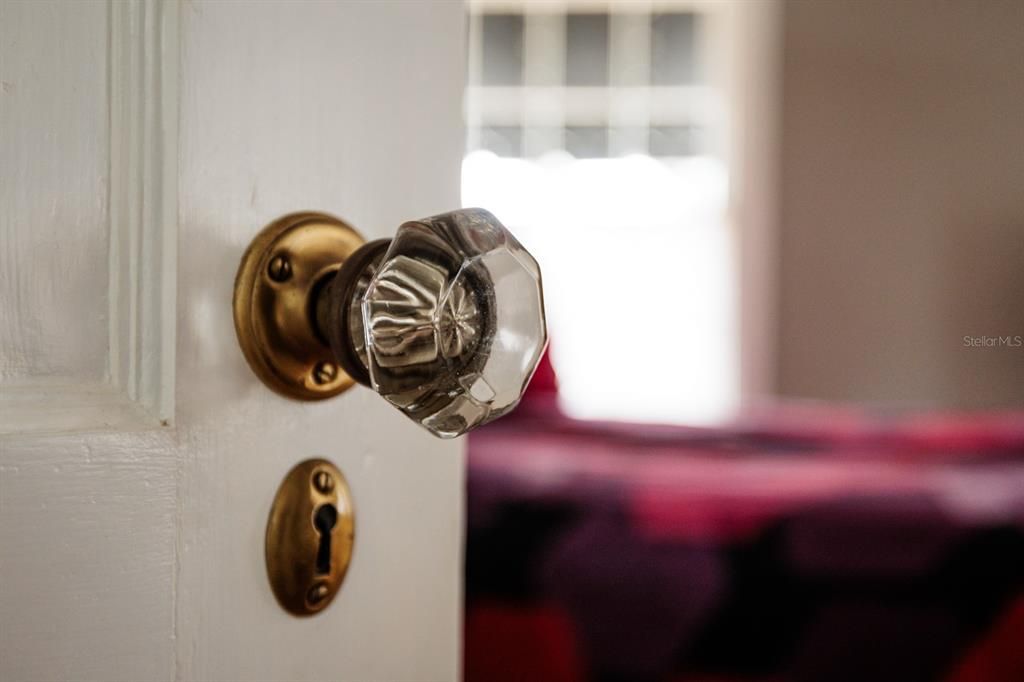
{"points": [[88, 527]]}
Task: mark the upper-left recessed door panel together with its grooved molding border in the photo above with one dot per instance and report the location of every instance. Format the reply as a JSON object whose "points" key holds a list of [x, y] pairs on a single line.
{"points": [[89, 181]]}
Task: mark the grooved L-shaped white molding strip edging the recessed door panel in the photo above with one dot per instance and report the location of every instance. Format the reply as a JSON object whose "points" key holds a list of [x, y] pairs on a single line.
{"points": [[138, 390]]}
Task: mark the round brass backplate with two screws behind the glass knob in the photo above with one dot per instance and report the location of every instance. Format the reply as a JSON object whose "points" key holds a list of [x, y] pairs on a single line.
{"points": [[279, 274]]}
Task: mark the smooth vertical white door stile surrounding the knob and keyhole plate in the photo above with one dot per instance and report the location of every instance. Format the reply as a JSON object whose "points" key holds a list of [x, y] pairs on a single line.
{"points": [[354, 109]]}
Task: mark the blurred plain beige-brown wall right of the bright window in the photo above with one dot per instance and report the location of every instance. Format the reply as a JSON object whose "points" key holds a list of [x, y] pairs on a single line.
{"points": [[902, 220]]}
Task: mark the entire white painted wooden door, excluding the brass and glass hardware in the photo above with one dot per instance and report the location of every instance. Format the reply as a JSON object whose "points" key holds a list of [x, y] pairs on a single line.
{"points": [[143, 145]]}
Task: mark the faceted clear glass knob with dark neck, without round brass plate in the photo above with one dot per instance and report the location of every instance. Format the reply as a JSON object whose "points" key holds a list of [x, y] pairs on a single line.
{"points": [[446, 321]]}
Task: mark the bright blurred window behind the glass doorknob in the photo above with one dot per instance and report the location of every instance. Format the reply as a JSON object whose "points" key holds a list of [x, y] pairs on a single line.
{"points": [[598, 137]]}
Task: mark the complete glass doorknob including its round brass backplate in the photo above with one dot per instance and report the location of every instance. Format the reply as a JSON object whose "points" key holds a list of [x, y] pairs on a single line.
{"points": [[445, 321]]}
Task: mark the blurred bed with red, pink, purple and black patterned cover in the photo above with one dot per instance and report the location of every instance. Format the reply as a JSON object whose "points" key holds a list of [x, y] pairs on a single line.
{"points": [[806, 543]]}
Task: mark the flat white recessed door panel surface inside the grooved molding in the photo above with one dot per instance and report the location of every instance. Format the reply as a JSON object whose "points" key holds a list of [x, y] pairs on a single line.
{"points": [[54, 61]]}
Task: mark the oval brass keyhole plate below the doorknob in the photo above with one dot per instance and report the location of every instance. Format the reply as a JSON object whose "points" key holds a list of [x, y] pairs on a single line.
{"points": [[305, 574]]}
